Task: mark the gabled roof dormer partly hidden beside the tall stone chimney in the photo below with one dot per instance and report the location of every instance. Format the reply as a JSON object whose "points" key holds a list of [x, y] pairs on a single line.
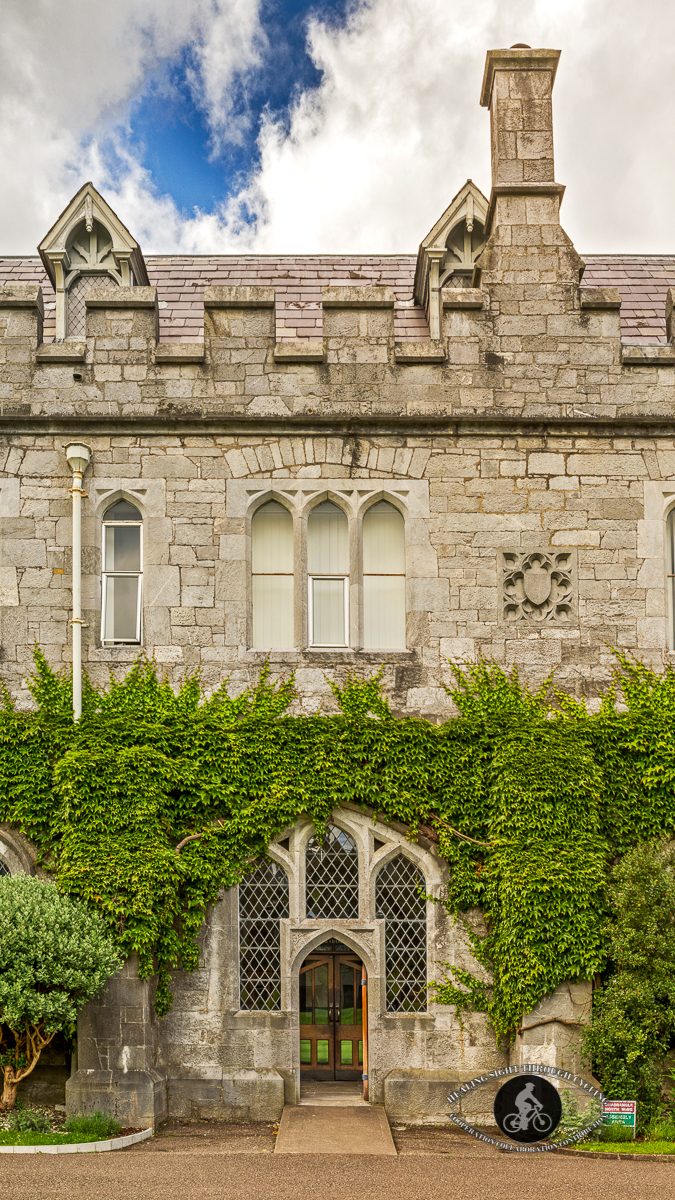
{"points": [[447, 255]]}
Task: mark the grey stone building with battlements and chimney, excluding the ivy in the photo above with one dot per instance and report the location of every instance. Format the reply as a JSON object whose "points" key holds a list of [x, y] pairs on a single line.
{"points": [[338, 464]]}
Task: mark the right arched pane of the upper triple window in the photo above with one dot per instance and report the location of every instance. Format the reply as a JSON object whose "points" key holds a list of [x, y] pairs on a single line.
{"points": [[384, 579]]}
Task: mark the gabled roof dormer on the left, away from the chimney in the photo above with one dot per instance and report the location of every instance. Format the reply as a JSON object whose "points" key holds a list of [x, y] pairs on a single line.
{"points": [[88, 245]]}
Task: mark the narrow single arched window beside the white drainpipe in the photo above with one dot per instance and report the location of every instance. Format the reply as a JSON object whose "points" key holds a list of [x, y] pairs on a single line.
{"points": [[123, 575]]}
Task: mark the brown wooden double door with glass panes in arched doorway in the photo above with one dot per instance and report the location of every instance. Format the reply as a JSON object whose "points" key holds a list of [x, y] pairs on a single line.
{"points": [[332, 1029]]}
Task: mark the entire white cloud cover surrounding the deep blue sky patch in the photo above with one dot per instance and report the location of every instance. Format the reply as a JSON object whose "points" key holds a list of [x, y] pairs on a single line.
{"points": [[368, 160]]}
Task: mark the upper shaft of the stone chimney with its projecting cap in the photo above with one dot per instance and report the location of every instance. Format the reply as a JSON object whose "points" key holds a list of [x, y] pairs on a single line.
{"points": [[517, 89]]}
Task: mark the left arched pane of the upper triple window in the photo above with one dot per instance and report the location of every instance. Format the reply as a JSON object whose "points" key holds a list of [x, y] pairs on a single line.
{"points": [[272, 561]]}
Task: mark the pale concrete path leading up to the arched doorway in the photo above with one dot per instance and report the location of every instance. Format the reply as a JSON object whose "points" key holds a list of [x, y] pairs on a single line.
{"points": [[324, 1130]]}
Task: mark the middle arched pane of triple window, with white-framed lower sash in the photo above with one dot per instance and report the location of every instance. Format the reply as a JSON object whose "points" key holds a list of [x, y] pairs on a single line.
{"points": [[328, 566]]}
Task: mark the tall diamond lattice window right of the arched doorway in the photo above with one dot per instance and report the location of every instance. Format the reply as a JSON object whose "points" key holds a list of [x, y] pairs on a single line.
{"points": [[399, 899]]}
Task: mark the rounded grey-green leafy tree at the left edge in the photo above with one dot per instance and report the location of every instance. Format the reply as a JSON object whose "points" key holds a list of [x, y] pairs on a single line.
{"points": [[55, 956]]}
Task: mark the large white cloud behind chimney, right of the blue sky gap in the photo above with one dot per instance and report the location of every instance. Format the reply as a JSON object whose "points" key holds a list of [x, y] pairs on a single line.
{"points": [[374, 155]]}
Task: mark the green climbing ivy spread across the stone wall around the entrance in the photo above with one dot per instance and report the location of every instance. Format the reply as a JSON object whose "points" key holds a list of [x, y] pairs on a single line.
{"points": [[159, 799]]}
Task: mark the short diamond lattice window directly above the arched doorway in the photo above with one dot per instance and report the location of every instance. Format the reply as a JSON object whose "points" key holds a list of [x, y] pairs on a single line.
{"points": [[332, 877]]}
